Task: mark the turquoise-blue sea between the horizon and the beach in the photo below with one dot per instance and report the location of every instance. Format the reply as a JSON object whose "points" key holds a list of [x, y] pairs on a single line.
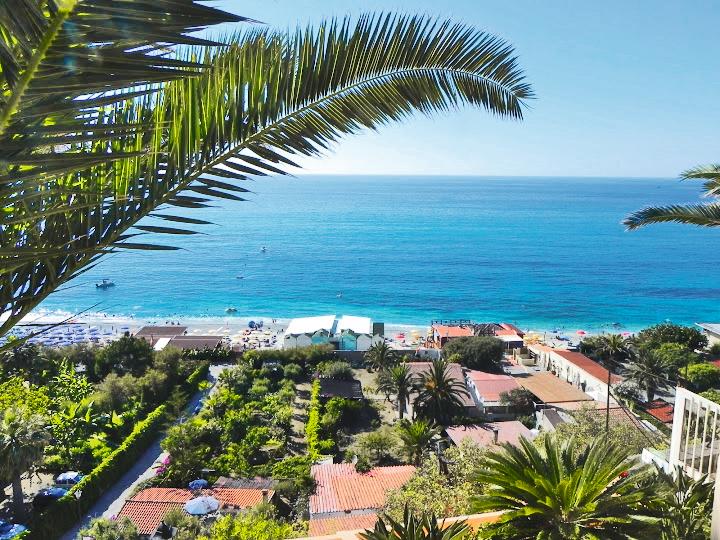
{"points": [[540, 252]]}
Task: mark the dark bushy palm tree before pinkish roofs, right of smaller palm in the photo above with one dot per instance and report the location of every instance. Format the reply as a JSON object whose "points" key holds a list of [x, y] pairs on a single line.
{"points": [[440, 394]]}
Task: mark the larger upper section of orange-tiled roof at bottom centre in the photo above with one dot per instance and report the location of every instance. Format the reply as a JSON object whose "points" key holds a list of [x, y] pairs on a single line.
{"points": [[340, 488]]}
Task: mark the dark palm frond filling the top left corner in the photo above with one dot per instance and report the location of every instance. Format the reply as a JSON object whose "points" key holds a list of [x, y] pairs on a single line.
{"points": [[64, 65]]}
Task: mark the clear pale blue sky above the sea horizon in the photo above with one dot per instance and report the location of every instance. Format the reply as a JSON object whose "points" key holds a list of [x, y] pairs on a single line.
{"points": [[624, 89]]}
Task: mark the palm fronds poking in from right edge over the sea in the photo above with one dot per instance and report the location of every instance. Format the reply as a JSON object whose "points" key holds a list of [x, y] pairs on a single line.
{"points": [[702, 215]]}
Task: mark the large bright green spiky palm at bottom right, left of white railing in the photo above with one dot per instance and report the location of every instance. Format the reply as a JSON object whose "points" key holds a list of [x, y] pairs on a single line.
{"points": [[563, 491]]}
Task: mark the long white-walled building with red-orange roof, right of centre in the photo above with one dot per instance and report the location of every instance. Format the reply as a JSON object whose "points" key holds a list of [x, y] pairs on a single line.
{"points": [[575, 368]]}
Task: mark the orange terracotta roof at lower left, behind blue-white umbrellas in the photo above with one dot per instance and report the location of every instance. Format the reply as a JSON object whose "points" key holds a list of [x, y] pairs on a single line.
{"points": [[148, 507]]}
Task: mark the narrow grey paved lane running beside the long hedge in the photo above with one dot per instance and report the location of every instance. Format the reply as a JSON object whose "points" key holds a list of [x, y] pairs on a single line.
{"points": [[113, 499]]}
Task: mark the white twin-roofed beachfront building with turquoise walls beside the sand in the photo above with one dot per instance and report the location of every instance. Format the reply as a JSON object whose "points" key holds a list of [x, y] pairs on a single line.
{"points": [[345, 333]]}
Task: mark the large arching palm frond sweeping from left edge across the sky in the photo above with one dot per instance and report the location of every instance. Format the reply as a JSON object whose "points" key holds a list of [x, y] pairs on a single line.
{"points": [[264, 98]]}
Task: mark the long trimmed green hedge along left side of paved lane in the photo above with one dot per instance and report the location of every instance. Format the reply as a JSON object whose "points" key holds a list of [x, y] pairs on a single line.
{"points": [[62, 515]]}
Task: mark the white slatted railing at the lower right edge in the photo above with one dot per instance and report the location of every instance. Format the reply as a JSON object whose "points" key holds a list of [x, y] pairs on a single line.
{"points": [[695, 443]]}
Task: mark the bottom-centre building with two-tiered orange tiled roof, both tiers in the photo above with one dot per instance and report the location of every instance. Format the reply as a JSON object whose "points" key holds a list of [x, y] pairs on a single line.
{"points": [[345, 499]]}
